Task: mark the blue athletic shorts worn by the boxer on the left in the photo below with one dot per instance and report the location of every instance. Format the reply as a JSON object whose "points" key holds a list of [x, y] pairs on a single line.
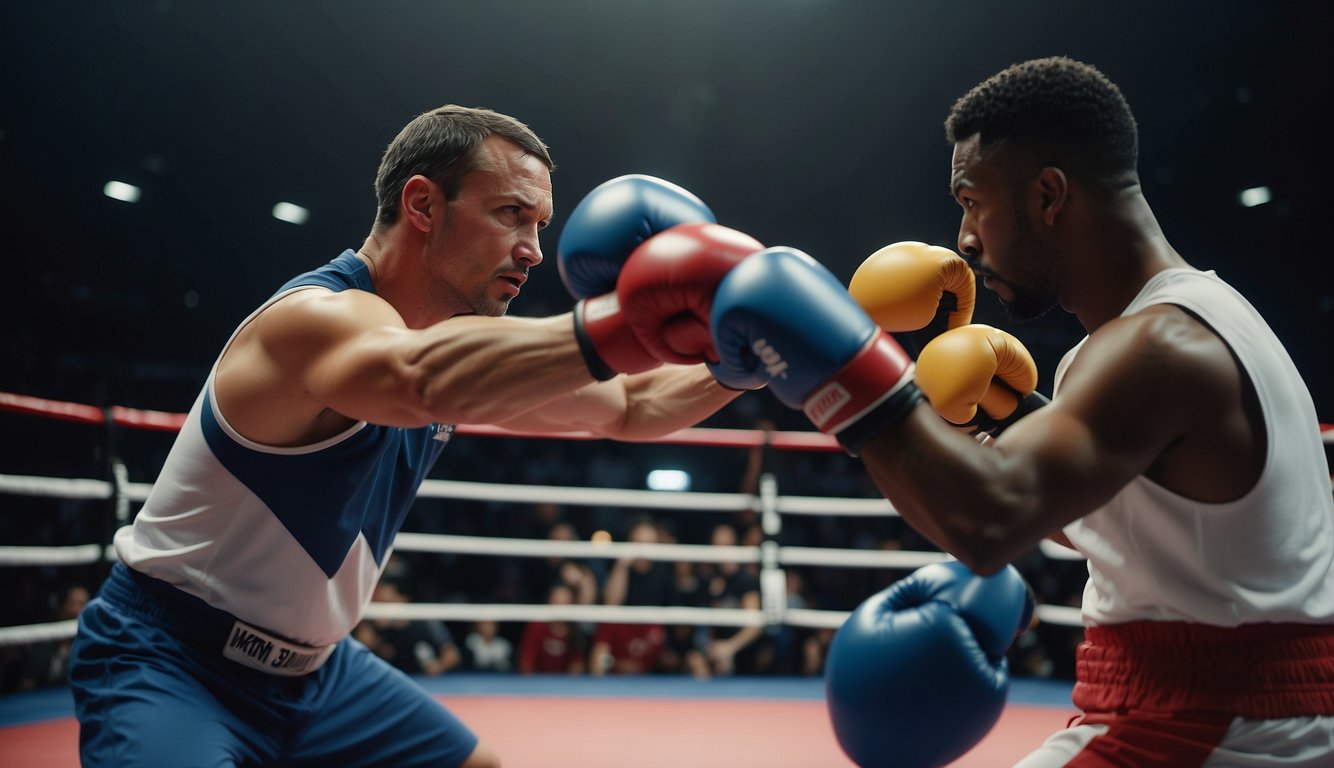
{"points": [[151, 689]]}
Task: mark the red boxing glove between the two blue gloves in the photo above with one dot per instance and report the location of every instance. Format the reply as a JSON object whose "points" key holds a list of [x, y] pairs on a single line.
{"points": [[666, 289]]}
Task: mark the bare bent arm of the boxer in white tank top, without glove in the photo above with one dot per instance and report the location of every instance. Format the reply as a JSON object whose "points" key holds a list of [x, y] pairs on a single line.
{"points": [[1140, 386]]}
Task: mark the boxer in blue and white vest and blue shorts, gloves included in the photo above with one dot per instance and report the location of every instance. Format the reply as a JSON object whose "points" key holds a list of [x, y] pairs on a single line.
{"points": [[222, 635]]}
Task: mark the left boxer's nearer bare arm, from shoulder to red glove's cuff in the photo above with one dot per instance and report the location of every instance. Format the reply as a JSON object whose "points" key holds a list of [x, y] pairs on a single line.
{"points": [[317, 354]]}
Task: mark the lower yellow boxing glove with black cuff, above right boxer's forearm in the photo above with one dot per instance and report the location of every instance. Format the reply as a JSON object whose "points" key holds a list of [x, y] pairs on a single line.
{"points": [[980, 379]]}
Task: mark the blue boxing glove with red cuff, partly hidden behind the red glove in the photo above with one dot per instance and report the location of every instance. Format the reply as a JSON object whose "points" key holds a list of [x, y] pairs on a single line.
{"points": [[604, 230]]}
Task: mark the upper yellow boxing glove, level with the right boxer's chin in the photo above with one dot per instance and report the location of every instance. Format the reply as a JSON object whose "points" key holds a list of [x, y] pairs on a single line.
{"points": [[913, 287]]}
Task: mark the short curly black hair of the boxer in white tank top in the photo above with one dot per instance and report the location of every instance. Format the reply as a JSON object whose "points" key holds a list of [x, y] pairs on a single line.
{"points": [[1057, 111]]}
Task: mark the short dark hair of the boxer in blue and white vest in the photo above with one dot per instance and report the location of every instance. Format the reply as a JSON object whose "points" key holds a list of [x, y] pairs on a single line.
{"points": [[442, 146]]}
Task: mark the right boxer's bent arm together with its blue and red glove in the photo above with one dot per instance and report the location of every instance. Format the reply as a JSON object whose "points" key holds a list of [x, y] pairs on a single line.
{"points": [[1140, 385]]}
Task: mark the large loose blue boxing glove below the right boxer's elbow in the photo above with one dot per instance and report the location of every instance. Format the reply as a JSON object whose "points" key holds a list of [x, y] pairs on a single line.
{"points": [[918, 674]]}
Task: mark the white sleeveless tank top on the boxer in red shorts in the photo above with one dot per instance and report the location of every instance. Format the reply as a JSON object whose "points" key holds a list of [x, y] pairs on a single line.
{"points": [[1157, 557]]}
